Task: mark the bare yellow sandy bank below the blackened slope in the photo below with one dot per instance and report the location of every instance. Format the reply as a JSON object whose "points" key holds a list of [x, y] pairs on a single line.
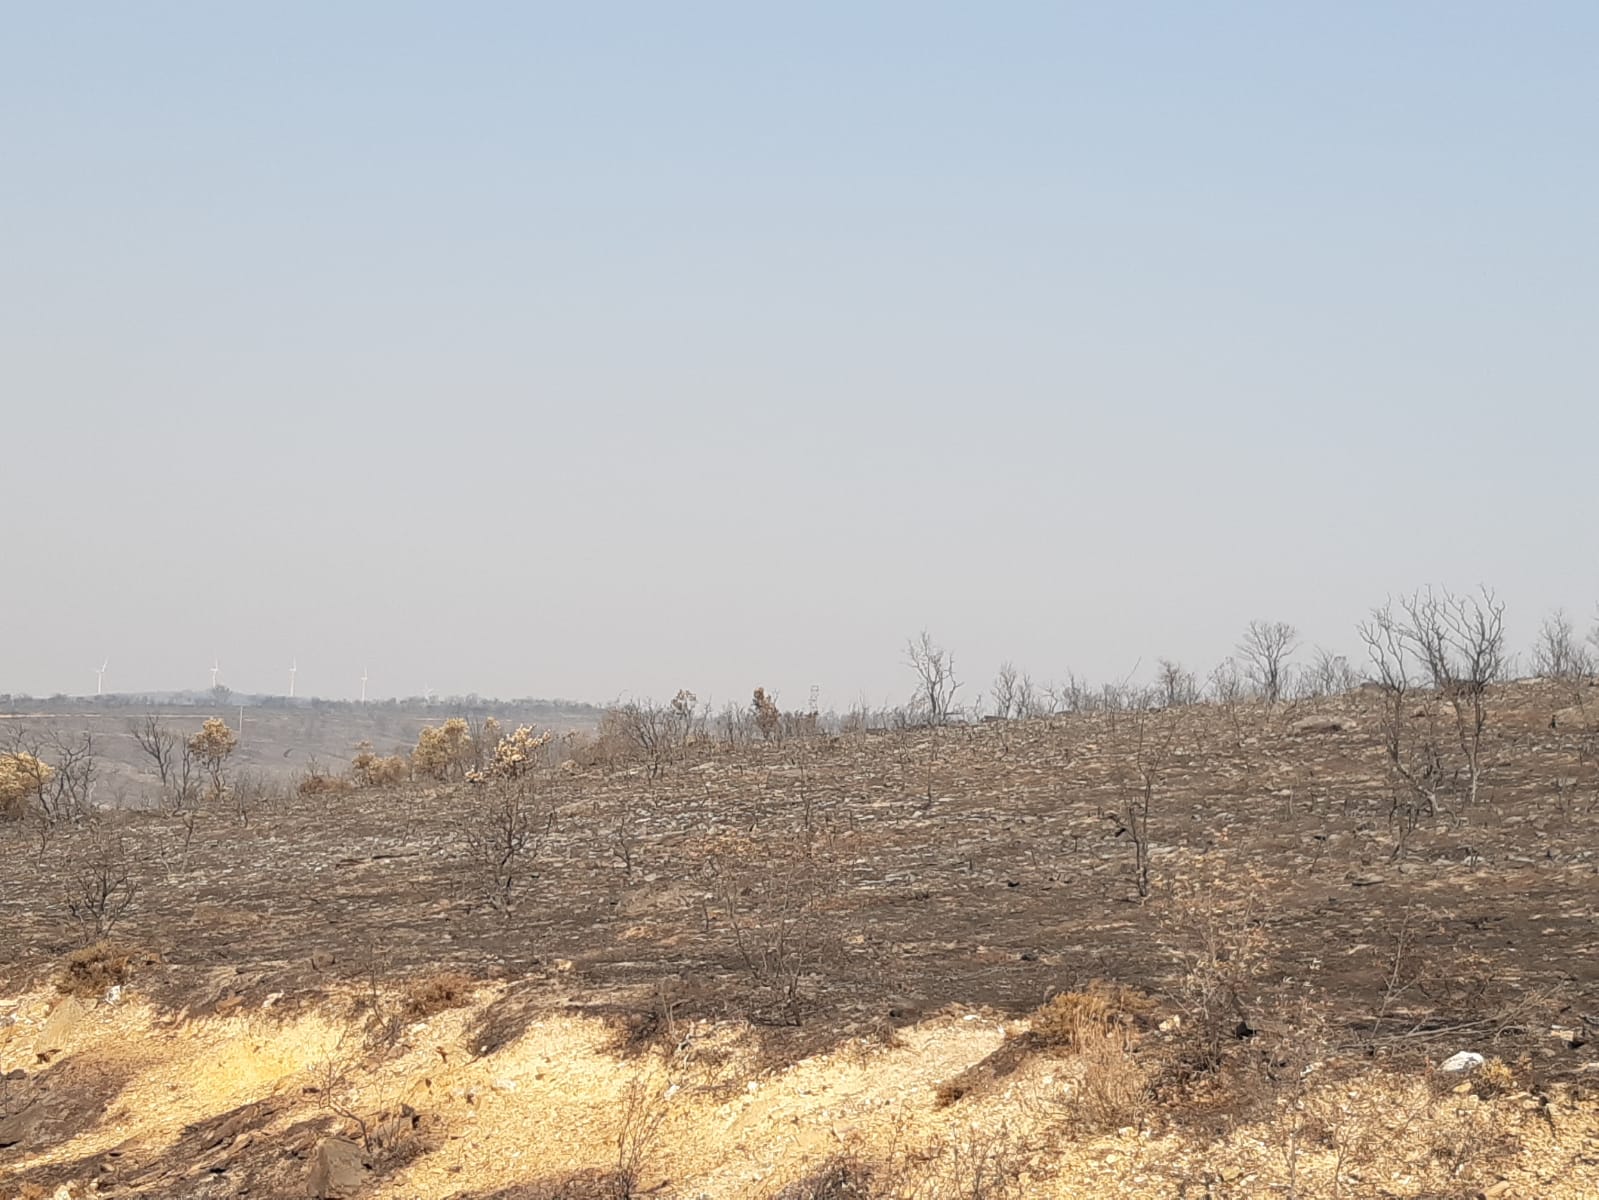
{"points": [[552, 1100]]}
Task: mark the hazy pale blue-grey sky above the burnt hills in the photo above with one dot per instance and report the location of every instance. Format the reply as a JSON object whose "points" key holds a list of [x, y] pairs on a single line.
{"points": [[583, 350]]}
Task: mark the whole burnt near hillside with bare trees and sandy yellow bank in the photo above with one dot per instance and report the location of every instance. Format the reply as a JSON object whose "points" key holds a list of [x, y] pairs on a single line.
{"points": [[1142, 946]]}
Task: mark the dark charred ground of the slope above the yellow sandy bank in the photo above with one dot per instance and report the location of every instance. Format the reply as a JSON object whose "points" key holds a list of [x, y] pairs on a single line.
{"points": [[819, 895]]}
